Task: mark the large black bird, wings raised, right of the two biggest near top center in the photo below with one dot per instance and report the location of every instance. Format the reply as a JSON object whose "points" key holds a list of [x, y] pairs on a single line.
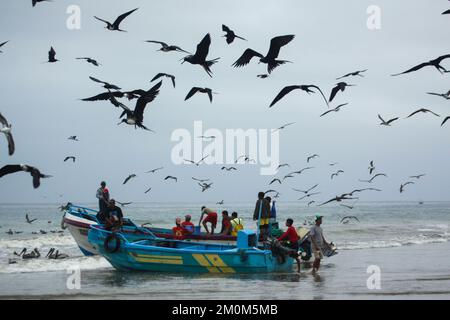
{"points": [[270, 58]]}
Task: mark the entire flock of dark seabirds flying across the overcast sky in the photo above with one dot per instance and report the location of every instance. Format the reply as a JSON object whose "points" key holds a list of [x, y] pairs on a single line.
{"points": [[135, 116]]}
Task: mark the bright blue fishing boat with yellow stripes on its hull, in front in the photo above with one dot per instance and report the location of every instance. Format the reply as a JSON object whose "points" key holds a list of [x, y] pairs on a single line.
{"points": [[176, 256]]}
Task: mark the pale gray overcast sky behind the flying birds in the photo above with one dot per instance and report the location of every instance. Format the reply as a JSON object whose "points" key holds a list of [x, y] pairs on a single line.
{"points": [[332, 39]]}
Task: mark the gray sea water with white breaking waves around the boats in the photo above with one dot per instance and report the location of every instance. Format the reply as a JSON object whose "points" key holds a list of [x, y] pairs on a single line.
{"points": [[407, 241]]}
